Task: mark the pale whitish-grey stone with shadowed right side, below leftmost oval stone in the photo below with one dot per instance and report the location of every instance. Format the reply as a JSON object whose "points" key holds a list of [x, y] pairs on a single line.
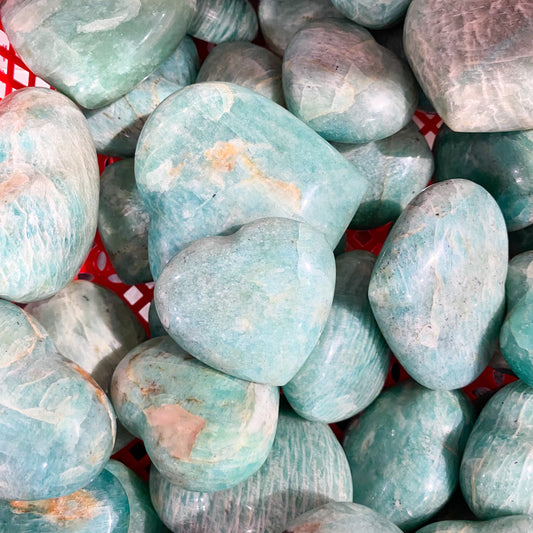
{"points": [[90, 325]]}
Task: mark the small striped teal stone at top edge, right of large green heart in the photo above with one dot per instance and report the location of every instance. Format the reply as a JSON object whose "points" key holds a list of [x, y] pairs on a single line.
{"points": [[218, 21]]}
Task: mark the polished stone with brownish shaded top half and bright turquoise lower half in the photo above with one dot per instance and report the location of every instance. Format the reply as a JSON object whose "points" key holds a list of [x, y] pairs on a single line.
{"points": [[343, 84]]}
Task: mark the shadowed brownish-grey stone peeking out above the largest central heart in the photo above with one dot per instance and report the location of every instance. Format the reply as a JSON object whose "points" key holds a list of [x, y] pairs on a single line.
{"points": [[245, 64]]}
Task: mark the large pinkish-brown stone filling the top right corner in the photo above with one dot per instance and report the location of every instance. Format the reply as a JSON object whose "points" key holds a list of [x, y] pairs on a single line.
{"points": [[477, 68]]}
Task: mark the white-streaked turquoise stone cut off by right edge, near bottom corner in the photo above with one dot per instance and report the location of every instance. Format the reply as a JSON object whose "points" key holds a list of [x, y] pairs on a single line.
{"points": [[497, 466]]}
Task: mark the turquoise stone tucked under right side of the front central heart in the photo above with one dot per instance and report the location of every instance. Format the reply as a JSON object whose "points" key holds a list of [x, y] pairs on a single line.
{"points": [[348, 366]]}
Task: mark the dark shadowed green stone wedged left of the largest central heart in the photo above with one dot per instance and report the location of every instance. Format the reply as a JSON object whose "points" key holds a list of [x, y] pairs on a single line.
{"points": [[123, 223]]}
